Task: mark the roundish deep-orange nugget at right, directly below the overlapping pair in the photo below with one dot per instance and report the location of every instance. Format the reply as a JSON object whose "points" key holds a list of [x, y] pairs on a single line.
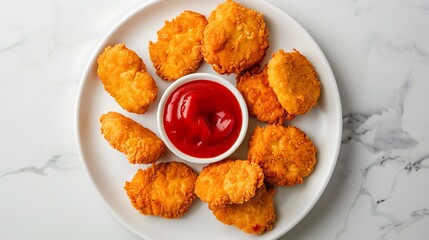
{"points": [[285, 154]]}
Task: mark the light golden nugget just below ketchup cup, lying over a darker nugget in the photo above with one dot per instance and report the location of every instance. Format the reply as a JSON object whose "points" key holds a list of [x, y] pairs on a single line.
{"points": [[228, 181]]}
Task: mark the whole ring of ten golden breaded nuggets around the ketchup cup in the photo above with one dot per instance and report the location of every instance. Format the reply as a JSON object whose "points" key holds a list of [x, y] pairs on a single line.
{"points": [[233, 40]]}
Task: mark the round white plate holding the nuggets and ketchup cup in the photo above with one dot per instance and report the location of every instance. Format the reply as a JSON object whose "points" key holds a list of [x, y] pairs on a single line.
{"points": [[108, 169]]}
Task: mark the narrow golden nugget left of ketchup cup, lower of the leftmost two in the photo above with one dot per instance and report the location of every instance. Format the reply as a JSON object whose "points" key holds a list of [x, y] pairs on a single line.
{"points": [[138, 143]]}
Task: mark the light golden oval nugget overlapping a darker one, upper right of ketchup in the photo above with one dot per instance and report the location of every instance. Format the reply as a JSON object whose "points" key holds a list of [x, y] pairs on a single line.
{"points": [[294, 81]]}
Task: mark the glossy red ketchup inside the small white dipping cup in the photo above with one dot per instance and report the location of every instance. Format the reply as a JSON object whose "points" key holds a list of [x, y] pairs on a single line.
{"points": [[202, 118]]}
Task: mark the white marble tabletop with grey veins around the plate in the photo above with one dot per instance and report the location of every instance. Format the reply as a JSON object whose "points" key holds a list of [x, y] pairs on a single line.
{"points": [[379, 52]]}
